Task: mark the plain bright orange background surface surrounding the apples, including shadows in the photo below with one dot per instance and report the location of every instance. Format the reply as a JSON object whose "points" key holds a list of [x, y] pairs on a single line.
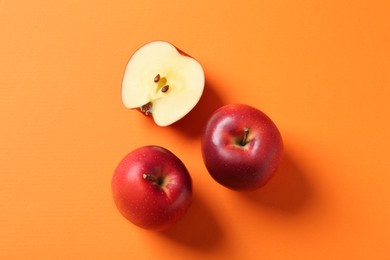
{"points": [[319, 69]]}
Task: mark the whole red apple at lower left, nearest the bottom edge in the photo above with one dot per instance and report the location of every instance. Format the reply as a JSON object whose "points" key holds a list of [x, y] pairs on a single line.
{"points": [[152, 188]]}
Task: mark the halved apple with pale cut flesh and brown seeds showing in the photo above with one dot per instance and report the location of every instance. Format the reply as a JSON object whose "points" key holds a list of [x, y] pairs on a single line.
{"points": [[162, 81]]}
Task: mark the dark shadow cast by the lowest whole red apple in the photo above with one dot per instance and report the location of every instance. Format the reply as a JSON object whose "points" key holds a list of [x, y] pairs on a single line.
{"points": [[198, 229]]}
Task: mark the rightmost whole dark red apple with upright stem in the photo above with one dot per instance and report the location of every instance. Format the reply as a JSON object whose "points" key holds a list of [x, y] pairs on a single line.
{"points": [[241, 147]]}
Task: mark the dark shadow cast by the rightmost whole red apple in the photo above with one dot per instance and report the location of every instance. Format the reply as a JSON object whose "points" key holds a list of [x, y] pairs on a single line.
{"points": [[288, 190]]}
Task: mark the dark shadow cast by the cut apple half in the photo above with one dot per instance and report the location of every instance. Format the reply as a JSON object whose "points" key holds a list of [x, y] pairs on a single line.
{"points": [[195, 121]]}
